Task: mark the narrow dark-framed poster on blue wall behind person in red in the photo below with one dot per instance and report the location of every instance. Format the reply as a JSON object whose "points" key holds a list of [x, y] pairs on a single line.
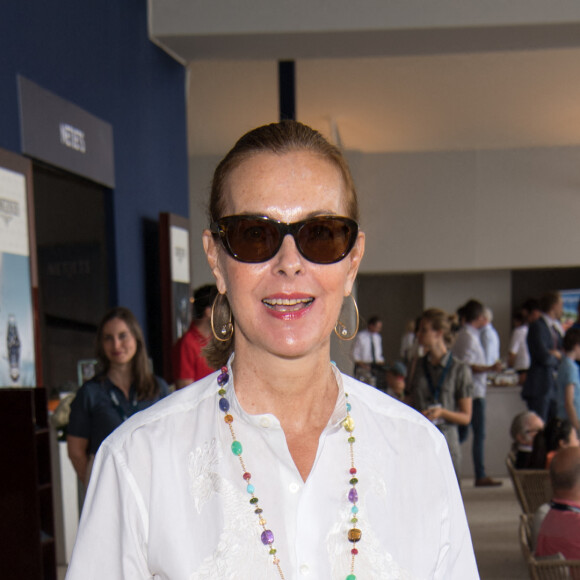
{"points": [[175, 283]]}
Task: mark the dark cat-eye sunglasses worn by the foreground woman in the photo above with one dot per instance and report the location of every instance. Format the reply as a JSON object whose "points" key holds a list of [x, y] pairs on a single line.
{"points": [[322, 239]]}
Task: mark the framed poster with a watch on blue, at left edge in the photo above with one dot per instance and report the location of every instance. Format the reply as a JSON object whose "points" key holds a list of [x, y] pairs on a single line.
{"points": [[19, 340]]}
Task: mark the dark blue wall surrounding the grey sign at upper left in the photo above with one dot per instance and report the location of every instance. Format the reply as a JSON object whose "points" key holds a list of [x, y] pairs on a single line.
{"points": [[96, 54]]}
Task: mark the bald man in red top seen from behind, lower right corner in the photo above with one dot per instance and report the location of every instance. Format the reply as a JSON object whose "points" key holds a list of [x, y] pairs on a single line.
{"points": [[560, 529]]}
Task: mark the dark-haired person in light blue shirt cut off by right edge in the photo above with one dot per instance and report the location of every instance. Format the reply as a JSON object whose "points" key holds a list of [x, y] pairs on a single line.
{"points": [[568, 379]]}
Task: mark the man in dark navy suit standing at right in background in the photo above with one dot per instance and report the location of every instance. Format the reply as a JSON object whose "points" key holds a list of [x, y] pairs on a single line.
{"points": [[544, 343]]}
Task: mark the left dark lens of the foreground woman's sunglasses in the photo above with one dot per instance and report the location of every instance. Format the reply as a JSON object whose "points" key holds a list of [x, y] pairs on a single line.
{"points": [[252, 240]]}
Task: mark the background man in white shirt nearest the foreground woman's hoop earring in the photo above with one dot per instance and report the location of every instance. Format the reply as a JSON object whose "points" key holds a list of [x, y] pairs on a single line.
{"points": [[368, 353]]}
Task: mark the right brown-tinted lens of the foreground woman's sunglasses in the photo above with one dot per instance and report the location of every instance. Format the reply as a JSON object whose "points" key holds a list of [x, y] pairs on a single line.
{"points": [[327, 240]]}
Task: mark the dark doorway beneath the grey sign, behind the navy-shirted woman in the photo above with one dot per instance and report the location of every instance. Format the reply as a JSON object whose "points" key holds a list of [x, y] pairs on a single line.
{"points": [[72, 216]]}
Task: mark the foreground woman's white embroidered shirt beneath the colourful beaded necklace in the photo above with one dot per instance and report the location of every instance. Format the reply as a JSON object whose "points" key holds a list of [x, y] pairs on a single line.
{"points": [[167, 499]]}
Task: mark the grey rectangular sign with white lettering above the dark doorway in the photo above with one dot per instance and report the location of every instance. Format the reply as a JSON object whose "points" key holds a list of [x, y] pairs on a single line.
{"points": [[62, 134]]}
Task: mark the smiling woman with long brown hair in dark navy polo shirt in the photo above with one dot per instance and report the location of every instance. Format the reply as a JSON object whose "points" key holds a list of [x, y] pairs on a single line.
{"points": [[124, 386]]}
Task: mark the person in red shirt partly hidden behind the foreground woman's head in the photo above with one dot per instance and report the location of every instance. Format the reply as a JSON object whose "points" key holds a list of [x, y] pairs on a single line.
{"points": [[189, 364]]}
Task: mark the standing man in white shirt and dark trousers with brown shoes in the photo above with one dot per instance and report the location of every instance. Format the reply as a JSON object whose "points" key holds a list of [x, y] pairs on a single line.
{"points": [[468, 349]]}
